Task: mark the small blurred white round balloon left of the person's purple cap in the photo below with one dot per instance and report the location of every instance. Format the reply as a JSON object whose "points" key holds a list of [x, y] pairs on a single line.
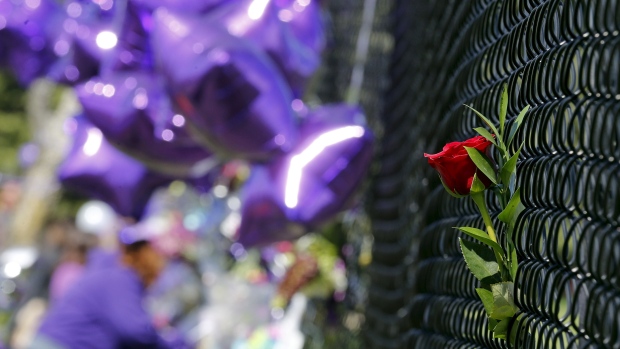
{"points": [[96, 217]]}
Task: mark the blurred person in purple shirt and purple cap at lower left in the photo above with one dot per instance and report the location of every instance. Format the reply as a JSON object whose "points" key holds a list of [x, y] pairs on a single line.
{"points": [[104, 308]]}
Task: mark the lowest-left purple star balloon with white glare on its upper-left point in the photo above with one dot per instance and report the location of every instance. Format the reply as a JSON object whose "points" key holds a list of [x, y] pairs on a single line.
{"points": [[96, 169]]}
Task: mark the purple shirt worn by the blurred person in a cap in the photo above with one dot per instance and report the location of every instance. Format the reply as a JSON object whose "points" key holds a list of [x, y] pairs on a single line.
{"points": [[103, 310]]}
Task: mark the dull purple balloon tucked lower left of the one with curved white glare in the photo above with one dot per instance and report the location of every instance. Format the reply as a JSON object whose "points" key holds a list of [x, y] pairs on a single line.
{"points": [[264, 219]]}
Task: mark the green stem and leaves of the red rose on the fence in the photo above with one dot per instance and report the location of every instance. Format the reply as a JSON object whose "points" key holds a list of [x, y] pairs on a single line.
{"points": [[495, 265]]}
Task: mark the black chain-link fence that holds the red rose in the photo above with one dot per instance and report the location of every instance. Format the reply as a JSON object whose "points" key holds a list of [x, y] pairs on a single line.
{"points": [[563, 59]]}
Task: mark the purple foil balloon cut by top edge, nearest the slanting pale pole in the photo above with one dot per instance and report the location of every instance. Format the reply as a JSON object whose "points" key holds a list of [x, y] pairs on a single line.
{"points": [[291, 31]]}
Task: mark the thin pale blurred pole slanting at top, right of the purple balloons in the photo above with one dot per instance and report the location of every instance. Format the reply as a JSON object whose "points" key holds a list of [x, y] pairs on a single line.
{"points": [[361, 52]]}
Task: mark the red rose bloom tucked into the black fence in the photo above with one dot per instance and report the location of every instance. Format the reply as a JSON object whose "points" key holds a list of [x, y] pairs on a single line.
{"points": [[456, 167]]}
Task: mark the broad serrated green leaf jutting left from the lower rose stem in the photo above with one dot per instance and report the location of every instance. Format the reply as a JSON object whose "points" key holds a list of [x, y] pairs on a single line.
{"points": [[480, 261]]}
